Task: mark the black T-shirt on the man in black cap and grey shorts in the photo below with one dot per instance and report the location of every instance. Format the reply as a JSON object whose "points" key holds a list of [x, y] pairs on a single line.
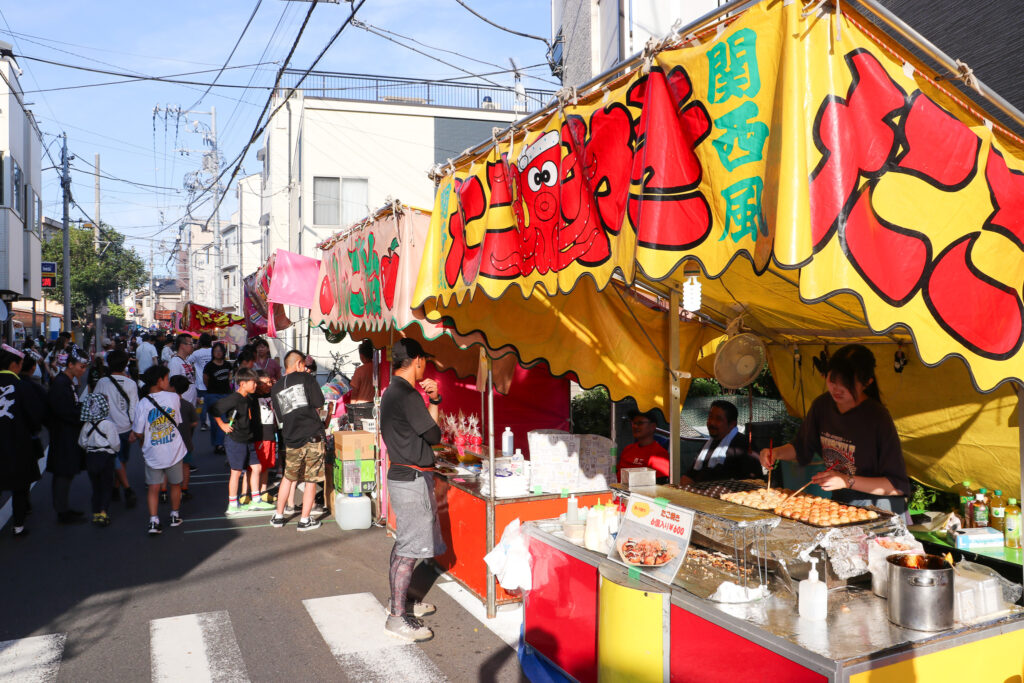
{"points": [[408, 430]]}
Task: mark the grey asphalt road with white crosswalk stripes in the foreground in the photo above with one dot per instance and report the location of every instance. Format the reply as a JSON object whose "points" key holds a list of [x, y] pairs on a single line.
{"points": [[107, 590]]}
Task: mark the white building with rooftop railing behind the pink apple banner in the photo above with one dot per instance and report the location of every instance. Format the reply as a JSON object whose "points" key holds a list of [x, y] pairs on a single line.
{"points": [[344, 145]]}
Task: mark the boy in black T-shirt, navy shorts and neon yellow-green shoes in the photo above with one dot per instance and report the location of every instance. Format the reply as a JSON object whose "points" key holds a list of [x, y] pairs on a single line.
{"points": [[238, 416]]}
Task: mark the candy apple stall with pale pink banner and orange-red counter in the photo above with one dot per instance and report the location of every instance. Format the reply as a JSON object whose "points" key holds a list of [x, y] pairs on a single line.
{"points": [[366, 282]]}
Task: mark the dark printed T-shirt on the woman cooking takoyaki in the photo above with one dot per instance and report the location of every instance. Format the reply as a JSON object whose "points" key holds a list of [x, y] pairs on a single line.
{"points": [[863, 442]]}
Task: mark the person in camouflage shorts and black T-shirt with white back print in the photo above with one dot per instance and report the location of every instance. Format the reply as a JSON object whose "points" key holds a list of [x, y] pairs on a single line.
{"points": [[296, 400]]}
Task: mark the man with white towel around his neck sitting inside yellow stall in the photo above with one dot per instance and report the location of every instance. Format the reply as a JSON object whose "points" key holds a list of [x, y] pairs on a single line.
{"points": [[726, 455]]}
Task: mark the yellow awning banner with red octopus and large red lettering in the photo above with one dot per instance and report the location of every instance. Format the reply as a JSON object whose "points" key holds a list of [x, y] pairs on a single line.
{"points": [[778, 139]]}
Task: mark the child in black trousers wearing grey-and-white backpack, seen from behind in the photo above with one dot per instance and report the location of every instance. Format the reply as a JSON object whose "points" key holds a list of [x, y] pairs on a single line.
{"points": [[101, 442]]}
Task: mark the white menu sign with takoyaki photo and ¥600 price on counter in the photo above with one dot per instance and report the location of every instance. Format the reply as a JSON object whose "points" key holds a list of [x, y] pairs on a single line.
{"points": [[654, 538]]}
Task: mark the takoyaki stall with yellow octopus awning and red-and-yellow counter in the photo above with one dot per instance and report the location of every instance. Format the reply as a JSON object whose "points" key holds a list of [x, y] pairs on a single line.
{"points": [[824, 187]]}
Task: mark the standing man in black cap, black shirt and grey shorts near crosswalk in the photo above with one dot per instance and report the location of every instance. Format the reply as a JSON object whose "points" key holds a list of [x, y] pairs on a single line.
{"points": [[410, 429]]}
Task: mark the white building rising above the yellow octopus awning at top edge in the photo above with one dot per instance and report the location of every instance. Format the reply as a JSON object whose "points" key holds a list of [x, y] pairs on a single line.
{"points": [[592, 36]]}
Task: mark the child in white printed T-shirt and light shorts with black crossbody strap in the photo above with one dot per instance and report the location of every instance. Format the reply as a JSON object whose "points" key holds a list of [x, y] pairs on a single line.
{"points": [[156, 424]]}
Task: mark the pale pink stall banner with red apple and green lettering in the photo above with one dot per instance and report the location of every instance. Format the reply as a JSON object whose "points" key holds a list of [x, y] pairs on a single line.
{"points": [[367, 278]]}
